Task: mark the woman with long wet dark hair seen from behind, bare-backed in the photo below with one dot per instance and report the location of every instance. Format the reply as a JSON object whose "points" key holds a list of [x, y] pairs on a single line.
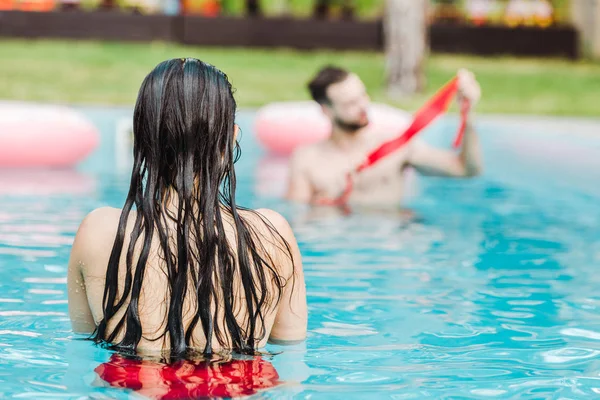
{"points": [[181, 267]]}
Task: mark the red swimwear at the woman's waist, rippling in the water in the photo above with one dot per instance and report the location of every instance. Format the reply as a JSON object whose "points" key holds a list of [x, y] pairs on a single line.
{"points": [[186, 379]]}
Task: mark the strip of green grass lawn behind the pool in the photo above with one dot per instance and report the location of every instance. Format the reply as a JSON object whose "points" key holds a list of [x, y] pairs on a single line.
{"points": [[110, 73]]}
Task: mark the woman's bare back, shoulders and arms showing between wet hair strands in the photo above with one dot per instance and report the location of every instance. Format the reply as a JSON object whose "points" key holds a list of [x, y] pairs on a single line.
{"points": [[283, 320]]}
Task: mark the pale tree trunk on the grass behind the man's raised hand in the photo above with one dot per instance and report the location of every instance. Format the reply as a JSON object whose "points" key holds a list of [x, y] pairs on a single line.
{"points": [[405, 31]]}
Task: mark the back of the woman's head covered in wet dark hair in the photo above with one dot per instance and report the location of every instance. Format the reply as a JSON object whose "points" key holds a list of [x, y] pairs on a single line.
{"points": [[184, 123]]}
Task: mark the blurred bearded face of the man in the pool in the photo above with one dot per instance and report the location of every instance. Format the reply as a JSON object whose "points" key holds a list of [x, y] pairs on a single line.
{"points": [[349, 103]]}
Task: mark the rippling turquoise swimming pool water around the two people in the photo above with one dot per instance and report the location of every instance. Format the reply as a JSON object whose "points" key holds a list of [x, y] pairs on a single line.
{"points": [[491, 293]]}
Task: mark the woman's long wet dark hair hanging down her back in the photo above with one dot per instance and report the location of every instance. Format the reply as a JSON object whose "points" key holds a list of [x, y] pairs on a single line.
{"points": [[184, 151]]}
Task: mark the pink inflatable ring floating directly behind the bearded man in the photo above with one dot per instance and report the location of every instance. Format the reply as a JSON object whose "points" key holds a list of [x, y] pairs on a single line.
{"points": [[282, 127]]}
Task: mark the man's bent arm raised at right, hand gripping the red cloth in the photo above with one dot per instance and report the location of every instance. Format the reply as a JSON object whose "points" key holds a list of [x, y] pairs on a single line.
{"points": [[438, 162]]}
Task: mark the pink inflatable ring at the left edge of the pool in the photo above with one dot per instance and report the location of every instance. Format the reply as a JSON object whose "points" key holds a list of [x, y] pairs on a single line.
{"points": [[33, 135]]}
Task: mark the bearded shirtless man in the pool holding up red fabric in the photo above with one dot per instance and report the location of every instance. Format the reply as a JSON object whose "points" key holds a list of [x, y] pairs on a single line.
{"points": [[318, 172]]}
